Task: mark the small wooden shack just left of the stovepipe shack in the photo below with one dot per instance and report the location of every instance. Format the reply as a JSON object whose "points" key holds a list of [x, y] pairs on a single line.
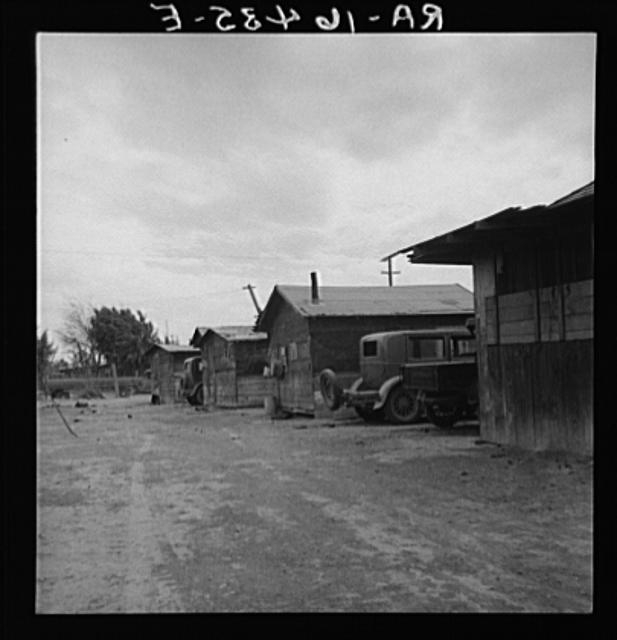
{"points": [[233, 360]]}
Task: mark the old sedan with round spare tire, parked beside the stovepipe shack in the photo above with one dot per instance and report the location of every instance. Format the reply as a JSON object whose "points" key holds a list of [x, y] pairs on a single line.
{"points": [[380, 393]]}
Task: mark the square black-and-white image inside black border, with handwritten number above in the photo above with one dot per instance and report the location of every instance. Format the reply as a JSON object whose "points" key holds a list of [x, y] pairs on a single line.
{"points": [[315, 316]]}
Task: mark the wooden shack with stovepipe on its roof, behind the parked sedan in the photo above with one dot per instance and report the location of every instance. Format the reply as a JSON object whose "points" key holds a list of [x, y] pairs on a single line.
{"points": [[311, 328]]}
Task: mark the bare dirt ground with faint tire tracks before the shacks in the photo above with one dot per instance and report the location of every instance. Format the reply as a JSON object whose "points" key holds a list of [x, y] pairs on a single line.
{"points": [[169, 509]]}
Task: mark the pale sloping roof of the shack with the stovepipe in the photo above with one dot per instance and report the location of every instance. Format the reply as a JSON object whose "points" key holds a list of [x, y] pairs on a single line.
{"points": [[380, 301]]}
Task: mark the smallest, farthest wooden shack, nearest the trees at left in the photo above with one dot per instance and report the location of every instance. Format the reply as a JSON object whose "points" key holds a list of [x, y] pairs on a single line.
{"points": [[166, 366]]}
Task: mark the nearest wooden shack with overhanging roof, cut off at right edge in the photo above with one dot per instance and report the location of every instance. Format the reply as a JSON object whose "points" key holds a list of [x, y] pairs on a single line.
{"points": [[534, 292]]}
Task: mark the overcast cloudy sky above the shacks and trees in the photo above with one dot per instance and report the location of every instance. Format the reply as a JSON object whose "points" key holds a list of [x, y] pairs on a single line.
{"points": [[175, 169]]}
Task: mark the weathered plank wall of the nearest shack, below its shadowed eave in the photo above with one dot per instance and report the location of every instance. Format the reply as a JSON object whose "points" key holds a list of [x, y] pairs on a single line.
{"points": [[535, 363]]}
